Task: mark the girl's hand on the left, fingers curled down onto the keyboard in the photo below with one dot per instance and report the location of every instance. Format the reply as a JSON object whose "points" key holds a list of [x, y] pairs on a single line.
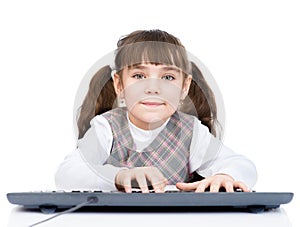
{"points": [[141, 175]]}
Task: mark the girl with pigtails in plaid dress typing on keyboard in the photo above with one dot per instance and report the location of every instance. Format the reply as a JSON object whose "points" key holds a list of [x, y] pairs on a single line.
{"points": [[151, 121]]}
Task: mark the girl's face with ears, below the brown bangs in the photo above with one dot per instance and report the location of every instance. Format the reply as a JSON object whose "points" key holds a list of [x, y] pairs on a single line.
{"points": [[152, 92]]}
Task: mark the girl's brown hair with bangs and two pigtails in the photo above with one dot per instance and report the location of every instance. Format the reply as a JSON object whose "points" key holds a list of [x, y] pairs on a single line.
{"points": [[154, 46]]}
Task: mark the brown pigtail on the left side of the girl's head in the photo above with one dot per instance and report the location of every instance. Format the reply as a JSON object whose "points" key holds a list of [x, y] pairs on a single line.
{"points": [[99, 99]]}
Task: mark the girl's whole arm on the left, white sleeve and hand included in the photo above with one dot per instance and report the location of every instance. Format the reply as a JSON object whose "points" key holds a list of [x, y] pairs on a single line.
{"points": [[85, 168]]}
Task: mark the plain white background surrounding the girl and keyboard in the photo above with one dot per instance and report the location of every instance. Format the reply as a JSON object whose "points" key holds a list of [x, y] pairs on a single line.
{"points": [[251, 48]]}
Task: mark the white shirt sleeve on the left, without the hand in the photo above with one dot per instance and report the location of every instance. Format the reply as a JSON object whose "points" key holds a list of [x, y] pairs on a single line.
{"points": [[84, 168]]}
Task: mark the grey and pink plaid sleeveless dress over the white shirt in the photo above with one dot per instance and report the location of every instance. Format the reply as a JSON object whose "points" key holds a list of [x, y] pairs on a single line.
{"points": [[169, 151]]}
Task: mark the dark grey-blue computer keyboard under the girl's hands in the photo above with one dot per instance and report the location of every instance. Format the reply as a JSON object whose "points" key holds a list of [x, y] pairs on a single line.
{"points": [[169, 201]]}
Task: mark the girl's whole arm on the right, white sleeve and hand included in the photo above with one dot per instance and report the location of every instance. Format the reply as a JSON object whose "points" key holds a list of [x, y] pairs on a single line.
{"points": [[218, 164]]}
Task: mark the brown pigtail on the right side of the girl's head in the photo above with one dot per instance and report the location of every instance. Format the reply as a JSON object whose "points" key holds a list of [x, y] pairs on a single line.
{"points": [[203, 100]]}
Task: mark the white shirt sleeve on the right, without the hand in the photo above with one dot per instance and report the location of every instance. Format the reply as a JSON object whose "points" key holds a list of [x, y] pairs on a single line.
{"points": [[209, 156]]}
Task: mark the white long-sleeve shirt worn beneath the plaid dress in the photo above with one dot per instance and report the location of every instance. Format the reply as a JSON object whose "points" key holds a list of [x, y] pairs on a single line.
{"points": [[84, 168]]}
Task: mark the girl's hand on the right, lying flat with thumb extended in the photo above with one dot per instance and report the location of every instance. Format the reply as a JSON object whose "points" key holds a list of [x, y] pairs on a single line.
{"points": [[214, 183]]}
